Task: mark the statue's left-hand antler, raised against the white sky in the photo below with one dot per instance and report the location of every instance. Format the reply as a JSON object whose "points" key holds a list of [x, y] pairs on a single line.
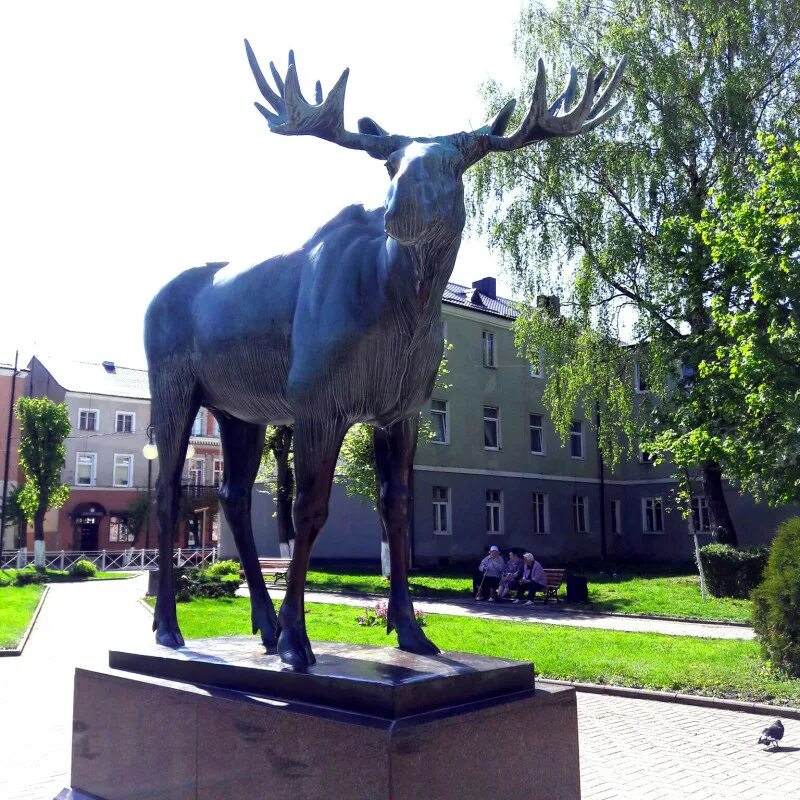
{"points": [[293, 115]]}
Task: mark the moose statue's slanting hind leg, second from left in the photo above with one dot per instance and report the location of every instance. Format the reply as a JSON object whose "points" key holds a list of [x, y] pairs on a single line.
{"points": [[242, 446]]}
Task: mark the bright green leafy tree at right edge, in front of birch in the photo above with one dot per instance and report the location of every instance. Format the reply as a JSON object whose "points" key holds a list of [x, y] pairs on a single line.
{"points": [[753, 379]]}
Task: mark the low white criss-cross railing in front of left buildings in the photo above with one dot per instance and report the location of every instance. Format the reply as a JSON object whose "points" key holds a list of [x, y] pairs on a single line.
{"points": [[109, 560]]}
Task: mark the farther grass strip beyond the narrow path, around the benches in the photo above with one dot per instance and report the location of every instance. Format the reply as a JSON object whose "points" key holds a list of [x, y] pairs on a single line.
{"points": [[674, 595]]}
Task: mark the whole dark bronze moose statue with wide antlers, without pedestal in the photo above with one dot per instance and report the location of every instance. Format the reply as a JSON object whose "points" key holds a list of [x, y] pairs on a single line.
{"points": [[346, 329]]}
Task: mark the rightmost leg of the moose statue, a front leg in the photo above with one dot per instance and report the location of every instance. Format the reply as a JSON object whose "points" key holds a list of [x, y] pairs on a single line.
{"points": [[394, 461]]}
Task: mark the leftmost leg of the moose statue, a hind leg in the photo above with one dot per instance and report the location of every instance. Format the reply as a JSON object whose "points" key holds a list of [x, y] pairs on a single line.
{"points": [[173, 409]]}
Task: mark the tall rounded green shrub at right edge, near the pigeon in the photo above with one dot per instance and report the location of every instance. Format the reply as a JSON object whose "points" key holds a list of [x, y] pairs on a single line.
{"points": [[776, 603]]}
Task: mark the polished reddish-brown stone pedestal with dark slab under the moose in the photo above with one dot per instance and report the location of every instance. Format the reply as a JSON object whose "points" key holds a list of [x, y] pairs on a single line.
{"points": [[218, 720]]}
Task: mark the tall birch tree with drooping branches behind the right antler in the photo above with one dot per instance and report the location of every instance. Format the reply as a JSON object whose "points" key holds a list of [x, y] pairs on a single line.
{"points": [[618, 209]]}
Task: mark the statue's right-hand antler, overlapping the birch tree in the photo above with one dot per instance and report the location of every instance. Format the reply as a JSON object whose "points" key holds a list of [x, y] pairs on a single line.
{"points": [[558, 120]]}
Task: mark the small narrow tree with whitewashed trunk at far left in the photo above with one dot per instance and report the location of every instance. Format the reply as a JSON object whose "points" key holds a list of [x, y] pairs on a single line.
{"points": [[44, 425]]}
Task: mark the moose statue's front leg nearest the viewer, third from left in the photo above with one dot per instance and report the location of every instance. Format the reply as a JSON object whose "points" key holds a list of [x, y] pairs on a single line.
{"points": [[316, 448]]}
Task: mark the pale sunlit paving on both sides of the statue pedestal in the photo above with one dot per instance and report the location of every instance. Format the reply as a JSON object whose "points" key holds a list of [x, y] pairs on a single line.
{"points": [[630, 749]]}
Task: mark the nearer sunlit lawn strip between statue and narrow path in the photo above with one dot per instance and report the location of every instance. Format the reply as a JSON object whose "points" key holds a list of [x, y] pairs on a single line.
{"points": [[711, 667]]}
